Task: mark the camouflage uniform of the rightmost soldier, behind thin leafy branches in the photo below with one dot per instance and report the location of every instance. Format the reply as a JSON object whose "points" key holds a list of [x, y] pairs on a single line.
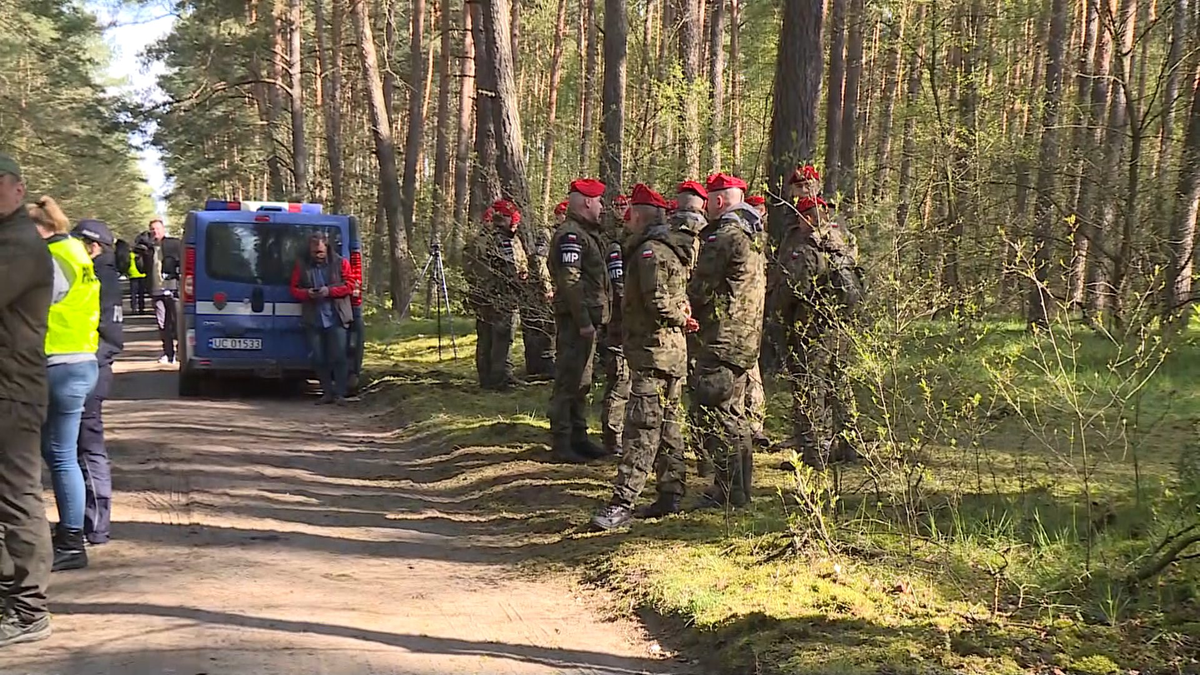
{"points": [[811, 306]]}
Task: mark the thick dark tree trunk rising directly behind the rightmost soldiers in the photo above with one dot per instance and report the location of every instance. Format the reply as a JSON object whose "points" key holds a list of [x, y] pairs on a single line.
{"points": [[794, 126]]}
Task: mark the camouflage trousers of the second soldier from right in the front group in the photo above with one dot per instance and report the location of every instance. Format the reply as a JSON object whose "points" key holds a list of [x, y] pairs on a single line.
{"points": [[719, 396]]}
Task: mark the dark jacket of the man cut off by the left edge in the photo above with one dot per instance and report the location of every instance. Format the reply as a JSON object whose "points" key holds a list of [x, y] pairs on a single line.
{"points": [[27, 284]]}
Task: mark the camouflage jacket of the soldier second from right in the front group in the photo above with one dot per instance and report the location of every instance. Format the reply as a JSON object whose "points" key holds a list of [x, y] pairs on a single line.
{"points": [[728, 289]]}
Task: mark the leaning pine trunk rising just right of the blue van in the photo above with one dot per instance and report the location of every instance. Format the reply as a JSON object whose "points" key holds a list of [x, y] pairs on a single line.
{"points": [[401, 279]]}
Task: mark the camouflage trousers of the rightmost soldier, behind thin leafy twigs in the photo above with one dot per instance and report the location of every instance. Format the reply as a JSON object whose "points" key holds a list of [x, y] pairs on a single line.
{"points": [[823, 399]]}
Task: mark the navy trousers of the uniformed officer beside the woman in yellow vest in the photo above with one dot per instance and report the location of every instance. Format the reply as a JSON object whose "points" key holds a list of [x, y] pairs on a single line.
{"points": [[98, 474]]}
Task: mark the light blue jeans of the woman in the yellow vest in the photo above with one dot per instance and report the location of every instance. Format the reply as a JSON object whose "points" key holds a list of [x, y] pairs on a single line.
{"points": [[70, 386]]}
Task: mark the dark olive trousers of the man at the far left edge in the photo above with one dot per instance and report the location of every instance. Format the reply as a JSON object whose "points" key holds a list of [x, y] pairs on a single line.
{"points": [[27, 553]]}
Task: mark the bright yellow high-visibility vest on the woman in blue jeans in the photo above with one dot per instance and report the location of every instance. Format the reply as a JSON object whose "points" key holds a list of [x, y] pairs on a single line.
{"points": [[75, 320]]}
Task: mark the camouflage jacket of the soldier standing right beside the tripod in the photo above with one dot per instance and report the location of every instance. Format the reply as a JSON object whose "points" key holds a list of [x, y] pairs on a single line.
{"points": [[496, 267]]}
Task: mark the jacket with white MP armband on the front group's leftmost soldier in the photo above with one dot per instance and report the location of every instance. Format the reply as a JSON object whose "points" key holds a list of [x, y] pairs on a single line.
{"points": [[578, 271]]}
